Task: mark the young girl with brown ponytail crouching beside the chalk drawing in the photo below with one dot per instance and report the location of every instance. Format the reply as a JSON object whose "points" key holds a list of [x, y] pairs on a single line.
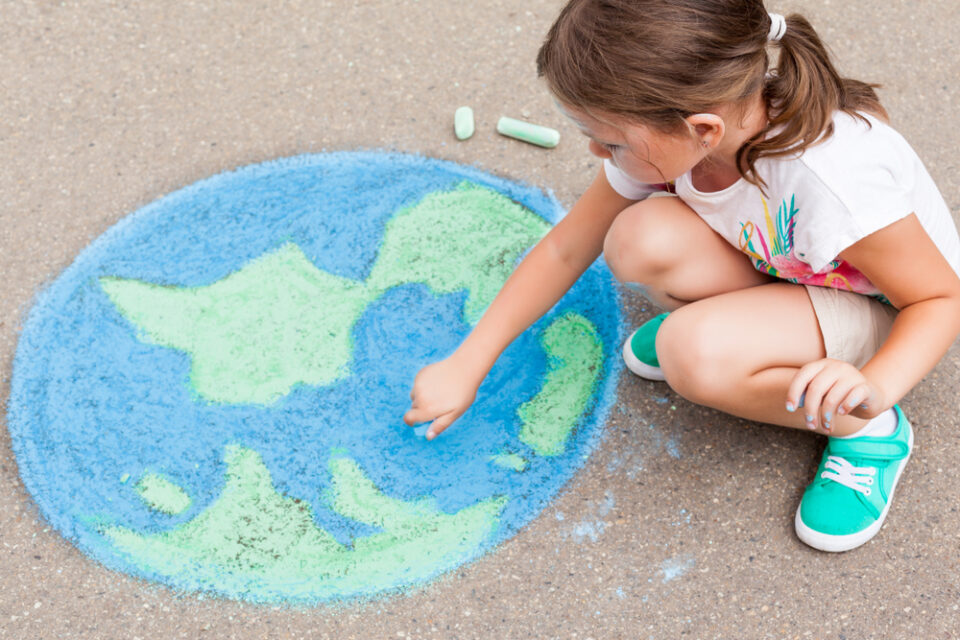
{"points": [[807, 261]]}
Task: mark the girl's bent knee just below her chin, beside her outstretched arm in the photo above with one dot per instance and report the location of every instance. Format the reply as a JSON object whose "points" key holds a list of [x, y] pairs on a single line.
{"points": [[641, 243]]}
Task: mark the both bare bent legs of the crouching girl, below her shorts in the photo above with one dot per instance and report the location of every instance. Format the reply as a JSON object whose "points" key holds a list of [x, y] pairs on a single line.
{"points": [[730, 344]]}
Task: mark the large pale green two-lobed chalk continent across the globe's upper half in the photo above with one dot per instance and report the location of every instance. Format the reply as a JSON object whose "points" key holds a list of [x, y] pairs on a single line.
{"points": [[280, 321]]}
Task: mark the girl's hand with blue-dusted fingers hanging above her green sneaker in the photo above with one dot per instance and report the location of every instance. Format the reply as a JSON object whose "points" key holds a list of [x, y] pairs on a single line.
{"points": [[827, 388]]}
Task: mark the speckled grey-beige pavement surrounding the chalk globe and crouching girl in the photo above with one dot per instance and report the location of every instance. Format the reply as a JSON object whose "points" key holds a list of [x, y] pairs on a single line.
{"points": [[107, 106]]}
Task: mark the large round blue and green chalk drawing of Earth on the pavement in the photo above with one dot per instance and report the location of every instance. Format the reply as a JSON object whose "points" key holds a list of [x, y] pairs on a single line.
{"points": [[211, 395]]}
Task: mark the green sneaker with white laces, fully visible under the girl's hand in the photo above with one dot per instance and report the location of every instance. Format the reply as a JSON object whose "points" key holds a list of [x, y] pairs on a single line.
{"points": [[848, 500]]}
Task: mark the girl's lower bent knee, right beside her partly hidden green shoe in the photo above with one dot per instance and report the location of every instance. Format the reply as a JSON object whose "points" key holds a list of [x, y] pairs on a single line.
{"points": [[692, 356]]}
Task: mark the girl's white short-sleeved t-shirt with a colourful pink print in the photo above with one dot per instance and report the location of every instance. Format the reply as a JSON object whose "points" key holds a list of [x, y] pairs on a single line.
{"points": [[858, 181]]}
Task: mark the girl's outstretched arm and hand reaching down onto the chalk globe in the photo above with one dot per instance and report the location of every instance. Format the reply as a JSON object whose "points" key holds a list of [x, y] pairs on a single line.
{"points": [[443, 391]]}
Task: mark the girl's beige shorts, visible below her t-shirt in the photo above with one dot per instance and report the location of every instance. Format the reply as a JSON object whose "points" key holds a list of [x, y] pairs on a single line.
{"points": [[853, 325]]}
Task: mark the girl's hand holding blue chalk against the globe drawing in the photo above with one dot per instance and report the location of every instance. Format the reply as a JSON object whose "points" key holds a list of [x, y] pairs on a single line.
{"points": [[442, 392]]}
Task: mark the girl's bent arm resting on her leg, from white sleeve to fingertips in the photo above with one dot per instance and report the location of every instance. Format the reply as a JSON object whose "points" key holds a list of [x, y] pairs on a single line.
{"points": [[904, 263]]}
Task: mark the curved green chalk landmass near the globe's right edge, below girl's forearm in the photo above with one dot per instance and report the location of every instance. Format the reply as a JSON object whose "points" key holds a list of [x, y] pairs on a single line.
{"points": [[575, 358]]}
